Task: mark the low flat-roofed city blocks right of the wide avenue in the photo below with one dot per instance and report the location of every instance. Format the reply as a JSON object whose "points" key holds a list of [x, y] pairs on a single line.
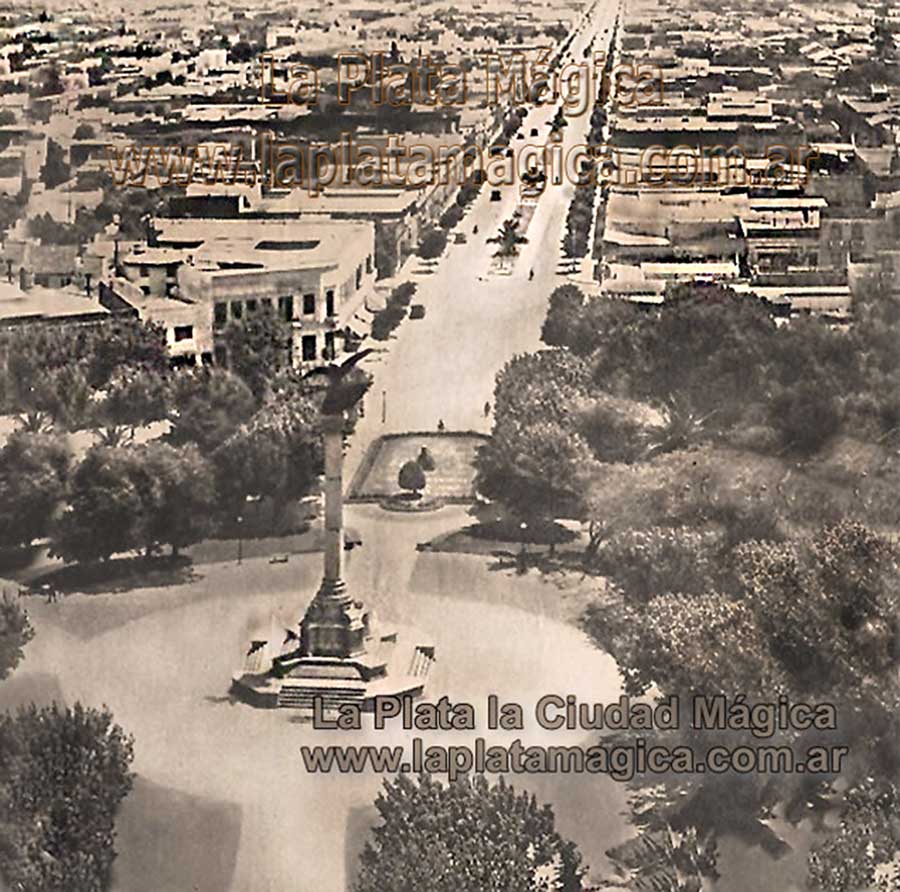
{"points": [[769, 160]]}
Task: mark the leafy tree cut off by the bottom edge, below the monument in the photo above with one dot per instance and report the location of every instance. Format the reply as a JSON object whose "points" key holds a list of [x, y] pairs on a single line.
{"points": [[467, 836]]}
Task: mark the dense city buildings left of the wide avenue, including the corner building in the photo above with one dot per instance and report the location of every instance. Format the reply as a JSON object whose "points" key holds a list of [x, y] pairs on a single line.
{"points": [[82, 87]]}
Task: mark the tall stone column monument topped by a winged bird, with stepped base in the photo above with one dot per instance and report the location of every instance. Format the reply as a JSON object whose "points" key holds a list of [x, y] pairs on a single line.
{"points": [[341, 656]]}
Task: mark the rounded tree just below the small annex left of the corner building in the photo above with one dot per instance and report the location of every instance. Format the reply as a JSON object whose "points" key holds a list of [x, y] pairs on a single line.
{"points": [[208, 406]]}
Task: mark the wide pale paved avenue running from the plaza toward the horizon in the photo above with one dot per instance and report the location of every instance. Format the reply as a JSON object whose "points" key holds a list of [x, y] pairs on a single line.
{"points": [[443, 366]]}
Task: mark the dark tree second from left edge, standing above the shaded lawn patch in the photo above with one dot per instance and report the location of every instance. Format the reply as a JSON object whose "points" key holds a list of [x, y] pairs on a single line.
{"points": [[105, 509]]}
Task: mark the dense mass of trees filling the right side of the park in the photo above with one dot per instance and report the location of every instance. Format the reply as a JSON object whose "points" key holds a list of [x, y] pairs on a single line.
{"points": [[736, 480]]}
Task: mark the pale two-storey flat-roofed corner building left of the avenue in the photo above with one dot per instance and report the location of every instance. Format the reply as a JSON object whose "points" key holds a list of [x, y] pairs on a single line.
{"points": [[203, 274]]}
